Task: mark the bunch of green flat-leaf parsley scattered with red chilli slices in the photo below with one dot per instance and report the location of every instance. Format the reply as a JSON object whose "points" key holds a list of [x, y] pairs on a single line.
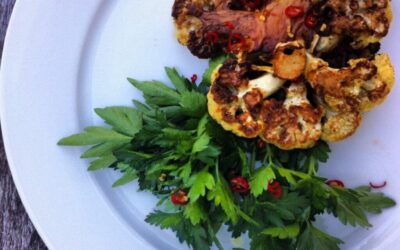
{"points": [[206, 177]]}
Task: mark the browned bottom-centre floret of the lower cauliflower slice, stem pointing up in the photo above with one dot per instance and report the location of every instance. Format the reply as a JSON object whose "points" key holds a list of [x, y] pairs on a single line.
{"points": [[293, 124]]}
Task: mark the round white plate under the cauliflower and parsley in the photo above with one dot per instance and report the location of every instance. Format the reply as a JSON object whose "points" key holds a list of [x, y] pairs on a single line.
{"points": [[64, 58]]}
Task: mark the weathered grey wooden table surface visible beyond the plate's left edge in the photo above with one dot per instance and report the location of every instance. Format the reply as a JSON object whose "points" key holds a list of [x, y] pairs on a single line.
{"points": [[16, 230]]}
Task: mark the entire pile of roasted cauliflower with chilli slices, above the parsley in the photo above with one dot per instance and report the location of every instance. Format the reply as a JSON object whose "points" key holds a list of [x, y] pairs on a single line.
{"points": [[291, 78]]}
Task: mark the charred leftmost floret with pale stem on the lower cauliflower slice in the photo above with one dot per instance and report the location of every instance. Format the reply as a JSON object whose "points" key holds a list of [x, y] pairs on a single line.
{"points": [[235, 102]]}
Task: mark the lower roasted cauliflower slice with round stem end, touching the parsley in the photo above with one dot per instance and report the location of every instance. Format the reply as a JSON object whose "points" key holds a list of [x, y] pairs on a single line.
{"points": [[247, 108]]}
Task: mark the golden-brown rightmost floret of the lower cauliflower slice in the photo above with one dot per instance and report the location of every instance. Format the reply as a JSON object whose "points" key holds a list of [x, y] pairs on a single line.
{"points": [[359, 87]]}
